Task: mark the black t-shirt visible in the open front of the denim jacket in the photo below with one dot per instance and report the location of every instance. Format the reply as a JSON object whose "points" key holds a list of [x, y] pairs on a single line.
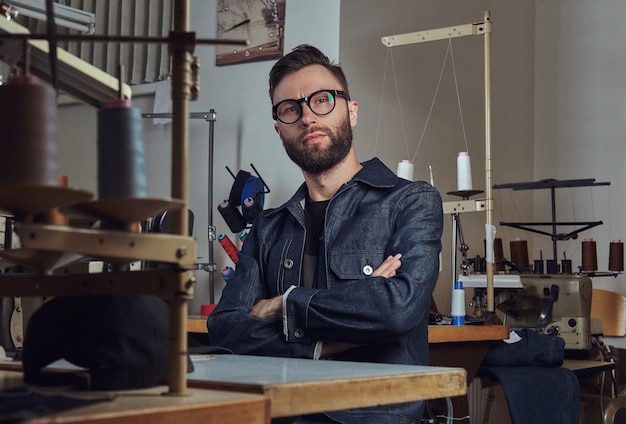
{"points": [[314, 214]]}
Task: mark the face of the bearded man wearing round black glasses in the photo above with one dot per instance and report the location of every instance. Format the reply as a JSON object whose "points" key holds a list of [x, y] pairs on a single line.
{"points": [[315, 143]]}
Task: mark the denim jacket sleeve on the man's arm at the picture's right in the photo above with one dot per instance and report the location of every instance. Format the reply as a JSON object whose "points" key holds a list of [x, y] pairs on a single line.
{"points": [[362, 309]]}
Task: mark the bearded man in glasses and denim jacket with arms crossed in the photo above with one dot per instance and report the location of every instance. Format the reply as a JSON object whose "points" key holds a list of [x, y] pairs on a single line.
{"points": [[346, 268]]}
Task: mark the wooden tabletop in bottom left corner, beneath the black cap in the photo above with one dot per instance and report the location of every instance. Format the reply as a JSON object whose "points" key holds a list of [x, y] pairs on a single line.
{"points": [[200, 406]]}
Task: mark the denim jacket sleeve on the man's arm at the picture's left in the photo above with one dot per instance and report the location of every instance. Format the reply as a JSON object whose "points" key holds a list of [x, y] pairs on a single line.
{"points": [[231, 326]]}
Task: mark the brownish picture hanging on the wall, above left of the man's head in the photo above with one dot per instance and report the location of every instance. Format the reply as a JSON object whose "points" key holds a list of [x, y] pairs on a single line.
{"points": [[261, 22]]}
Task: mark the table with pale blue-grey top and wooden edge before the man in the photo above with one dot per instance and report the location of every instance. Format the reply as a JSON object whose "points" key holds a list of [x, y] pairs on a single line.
{"points": [[303, 386]]}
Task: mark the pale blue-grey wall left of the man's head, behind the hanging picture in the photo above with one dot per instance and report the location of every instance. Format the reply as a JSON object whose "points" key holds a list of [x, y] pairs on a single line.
{"points": [[244, 130]]}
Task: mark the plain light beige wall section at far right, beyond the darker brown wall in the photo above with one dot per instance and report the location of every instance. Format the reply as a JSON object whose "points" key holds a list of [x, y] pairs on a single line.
{"points": [[580, 108]]}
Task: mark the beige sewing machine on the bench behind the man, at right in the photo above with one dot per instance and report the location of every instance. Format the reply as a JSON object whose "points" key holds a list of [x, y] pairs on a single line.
{"points": [[558, 304]]}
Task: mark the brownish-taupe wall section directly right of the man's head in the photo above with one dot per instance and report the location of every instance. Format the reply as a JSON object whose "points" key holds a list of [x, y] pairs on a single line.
{"points": [[398, 87]]}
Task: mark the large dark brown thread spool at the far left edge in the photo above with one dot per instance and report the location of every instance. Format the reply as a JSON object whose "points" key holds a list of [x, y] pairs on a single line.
{"points": [[28, 117]]}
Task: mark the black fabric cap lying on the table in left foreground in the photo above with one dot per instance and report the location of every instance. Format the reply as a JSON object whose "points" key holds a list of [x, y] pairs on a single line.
{"points": [[121, 340]]}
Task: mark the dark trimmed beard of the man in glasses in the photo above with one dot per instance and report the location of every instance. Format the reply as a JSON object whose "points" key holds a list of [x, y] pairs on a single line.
{"points": [[316, 159]]}
